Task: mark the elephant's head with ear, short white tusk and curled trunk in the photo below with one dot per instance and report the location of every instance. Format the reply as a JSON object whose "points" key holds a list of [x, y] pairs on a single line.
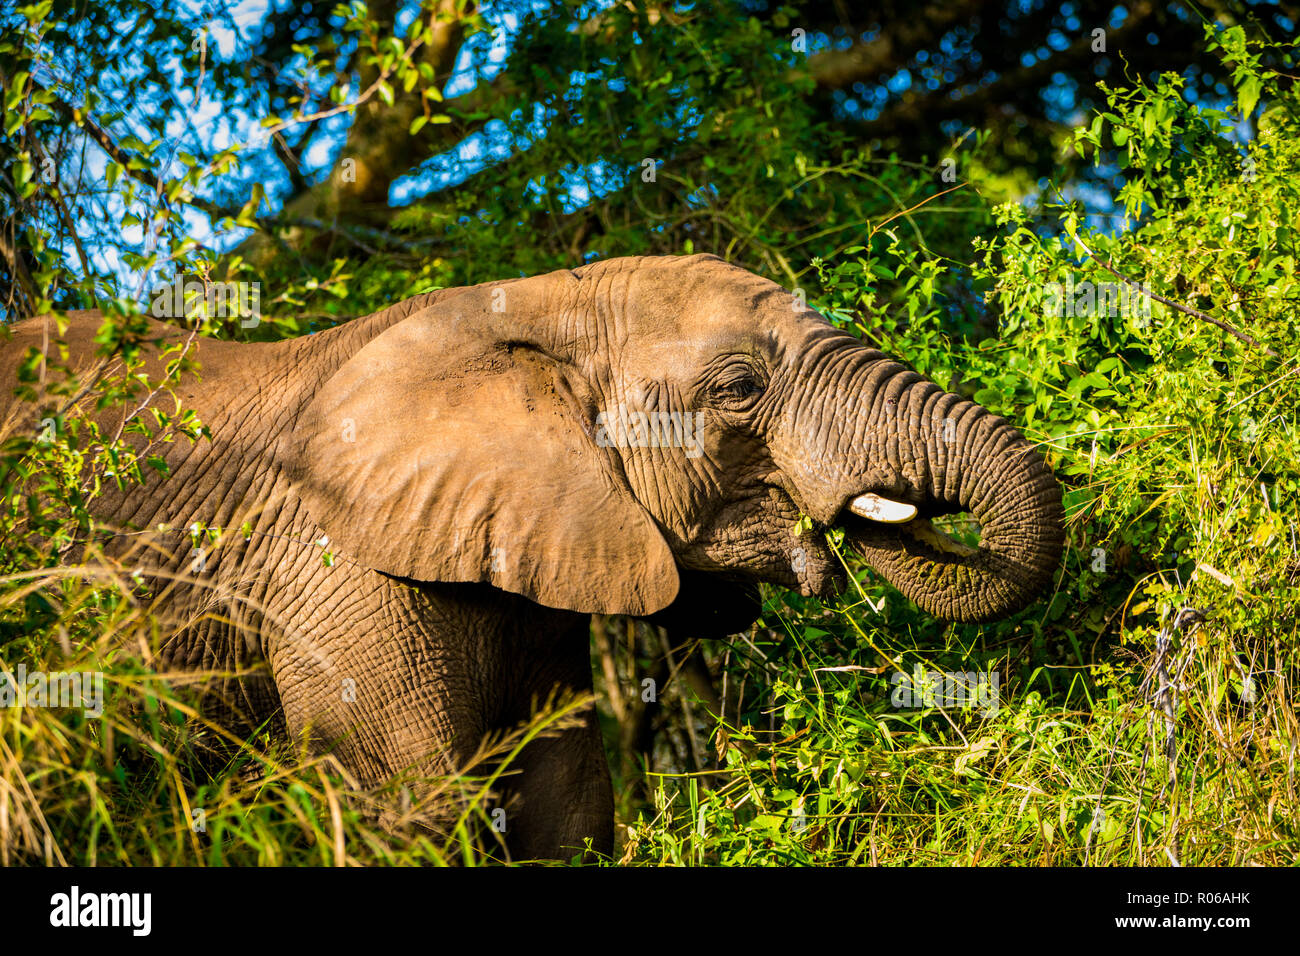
{"points": [[639, 434]]}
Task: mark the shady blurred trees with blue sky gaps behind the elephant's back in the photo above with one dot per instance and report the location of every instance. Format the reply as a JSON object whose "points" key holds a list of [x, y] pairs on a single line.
{"points": [[777, 133]]}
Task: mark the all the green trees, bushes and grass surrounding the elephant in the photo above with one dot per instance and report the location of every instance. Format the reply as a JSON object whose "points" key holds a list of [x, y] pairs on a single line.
{"points": [[1147, 707]]}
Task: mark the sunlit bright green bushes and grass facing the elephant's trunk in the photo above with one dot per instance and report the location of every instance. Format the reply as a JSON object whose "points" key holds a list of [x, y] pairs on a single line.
{"points": [[1178, 447]]}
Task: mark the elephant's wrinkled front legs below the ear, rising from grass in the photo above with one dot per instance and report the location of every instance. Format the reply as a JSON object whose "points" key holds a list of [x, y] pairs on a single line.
{"points": [[419, 695]]}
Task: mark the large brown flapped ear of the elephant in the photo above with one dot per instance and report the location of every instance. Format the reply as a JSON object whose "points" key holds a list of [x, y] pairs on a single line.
{"points": [[454, 447]]}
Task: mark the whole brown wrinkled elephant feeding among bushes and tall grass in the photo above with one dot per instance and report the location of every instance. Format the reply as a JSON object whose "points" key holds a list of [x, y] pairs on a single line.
{"points": [[489, 466]]}
